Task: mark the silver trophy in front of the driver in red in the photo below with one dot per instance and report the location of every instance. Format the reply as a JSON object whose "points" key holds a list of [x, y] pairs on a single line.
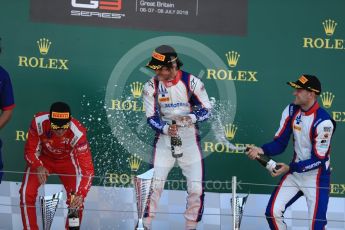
{"points": [[48, 208]]}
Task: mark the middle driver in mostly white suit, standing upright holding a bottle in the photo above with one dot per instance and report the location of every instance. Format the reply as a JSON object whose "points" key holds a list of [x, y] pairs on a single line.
{"points": [[176, 95]]}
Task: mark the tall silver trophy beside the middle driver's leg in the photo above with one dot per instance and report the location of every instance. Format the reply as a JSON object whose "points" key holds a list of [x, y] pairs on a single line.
{"points": [[142, 186]]}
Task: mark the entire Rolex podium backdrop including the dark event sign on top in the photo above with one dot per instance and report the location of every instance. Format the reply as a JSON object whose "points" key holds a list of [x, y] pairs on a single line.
{"points": [[92, 54]]}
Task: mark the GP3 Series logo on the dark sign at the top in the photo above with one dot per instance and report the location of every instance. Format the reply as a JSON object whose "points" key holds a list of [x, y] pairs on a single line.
{"points": [[97, 8]]}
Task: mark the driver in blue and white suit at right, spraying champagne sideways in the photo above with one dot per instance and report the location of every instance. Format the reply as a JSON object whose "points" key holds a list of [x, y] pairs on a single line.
{"points": [[308, 174]]}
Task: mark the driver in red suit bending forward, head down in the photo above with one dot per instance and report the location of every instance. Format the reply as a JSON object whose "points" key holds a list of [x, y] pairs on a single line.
{"points": [[56, 144]]}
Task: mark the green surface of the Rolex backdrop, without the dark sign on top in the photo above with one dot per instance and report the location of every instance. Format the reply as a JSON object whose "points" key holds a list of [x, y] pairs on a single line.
{"points": [[103, 62]]}
